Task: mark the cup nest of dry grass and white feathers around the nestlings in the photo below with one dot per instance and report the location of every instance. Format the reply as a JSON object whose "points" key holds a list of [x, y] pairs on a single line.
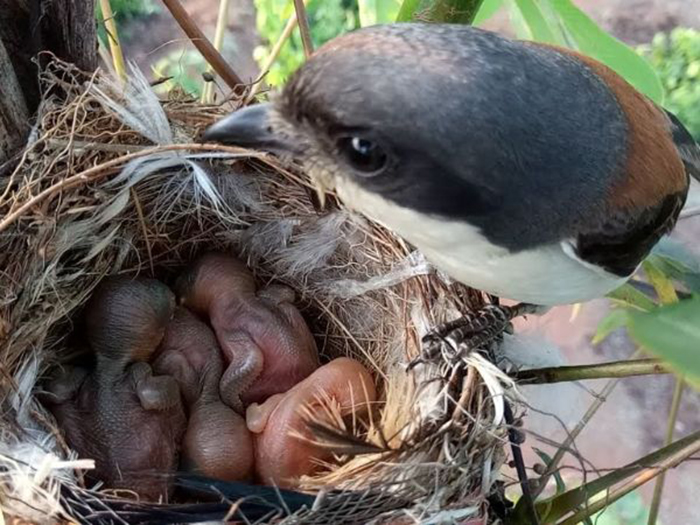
{"points": [[112, 181]]}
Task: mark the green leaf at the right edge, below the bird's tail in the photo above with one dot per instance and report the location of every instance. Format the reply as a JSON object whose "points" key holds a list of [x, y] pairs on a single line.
{"points": [[672, 333]]}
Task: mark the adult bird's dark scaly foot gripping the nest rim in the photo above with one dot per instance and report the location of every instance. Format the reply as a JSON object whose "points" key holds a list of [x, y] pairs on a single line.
{"points": [[451, 341]]}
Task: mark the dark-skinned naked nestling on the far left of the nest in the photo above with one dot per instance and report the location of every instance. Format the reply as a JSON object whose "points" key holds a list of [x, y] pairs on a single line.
{"points": [[119, 414]]}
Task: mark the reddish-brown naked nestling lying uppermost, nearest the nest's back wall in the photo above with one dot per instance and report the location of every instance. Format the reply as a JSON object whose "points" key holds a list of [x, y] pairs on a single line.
{"points": [[266, 343]]}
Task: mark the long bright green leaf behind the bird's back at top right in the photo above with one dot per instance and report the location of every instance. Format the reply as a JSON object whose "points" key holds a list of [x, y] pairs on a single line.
{"points": [[593, 41]]}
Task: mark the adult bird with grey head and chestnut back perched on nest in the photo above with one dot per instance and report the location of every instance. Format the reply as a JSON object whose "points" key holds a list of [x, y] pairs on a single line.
{"points": [[524, 170]]}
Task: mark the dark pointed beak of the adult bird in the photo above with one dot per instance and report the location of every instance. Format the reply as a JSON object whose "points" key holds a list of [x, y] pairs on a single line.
{"points": [[248, 127]]}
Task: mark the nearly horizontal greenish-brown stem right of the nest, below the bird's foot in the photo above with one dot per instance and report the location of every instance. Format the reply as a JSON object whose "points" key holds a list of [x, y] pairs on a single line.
{"points": [[614, 369]]}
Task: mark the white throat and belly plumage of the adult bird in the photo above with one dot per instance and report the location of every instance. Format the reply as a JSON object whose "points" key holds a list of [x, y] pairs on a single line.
{"points": [[548, 275]]}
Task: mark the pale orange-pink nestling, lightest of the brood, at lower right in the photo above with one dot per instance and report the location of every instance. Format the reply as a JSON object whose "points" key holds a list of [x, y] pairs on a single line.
{"points": [[281, 457]]}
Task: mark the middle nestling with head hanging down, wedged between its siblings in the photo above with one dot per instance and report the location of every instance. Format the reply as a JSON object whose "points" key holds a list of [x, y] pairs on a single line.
{"points": [[217, 441]]}
